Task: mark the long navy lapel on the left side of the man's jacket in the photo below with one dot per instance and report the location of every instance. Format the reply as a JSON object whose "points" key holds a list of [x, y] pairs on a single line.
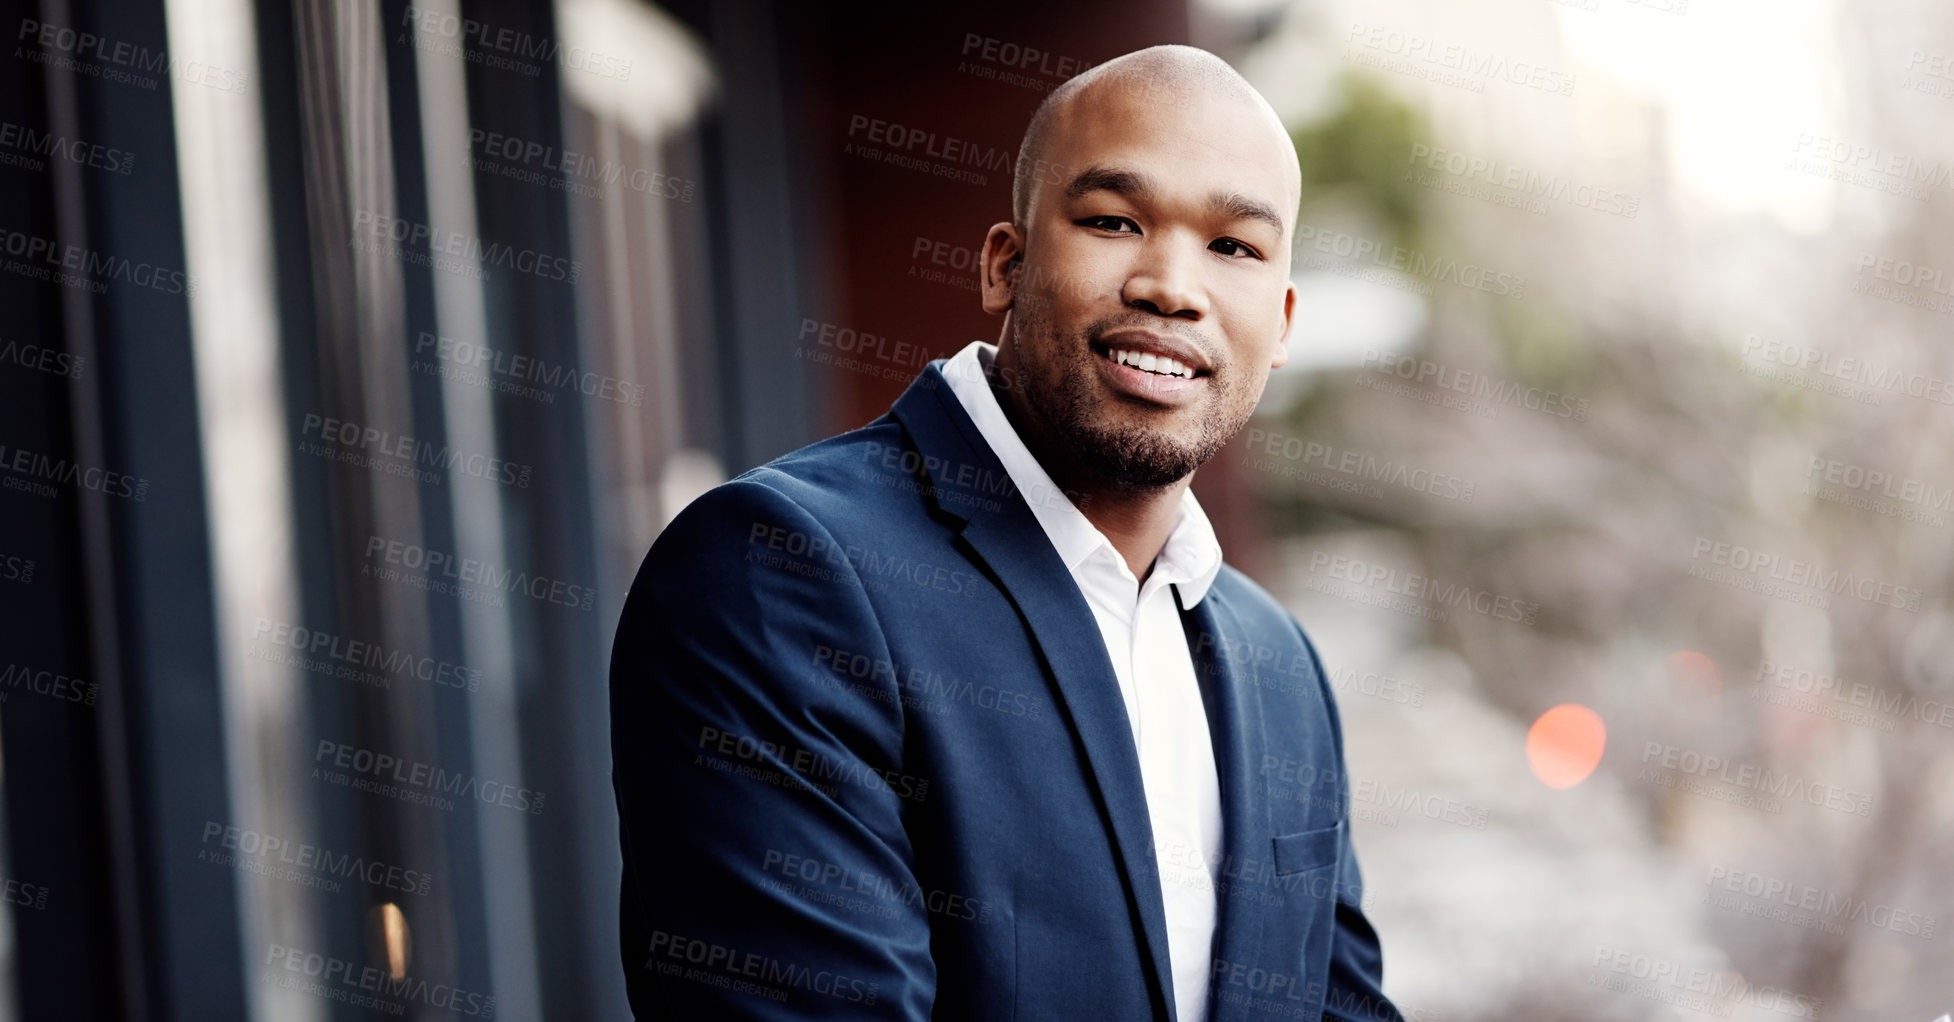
{"points": [[1003, 534]]}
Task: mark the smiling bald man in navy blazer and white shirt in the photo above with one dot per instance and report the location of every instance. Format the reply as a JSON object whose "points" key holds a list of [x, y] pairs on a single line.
{"points": [[960, 714]]}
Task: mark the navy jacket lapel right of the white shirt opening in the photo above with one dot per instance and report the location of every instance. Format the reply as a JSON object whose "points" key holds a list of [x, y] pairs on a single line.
{"points": [[1234, 706]]}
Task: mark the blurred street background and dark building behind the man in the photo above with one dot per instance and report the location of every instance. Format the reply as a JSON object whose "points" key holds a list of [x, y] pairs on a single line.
{"points": [[353, 355]]}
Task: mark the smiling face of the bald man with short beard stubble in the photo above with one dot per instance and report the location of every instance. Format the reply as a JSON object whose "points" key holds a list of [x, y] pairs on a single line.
{"points": [[1160, 232]]}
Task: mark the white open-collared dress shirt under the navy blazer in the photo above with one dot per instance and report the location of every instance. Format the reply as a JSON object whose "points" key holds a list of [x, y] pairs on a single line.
{"points": [[1150, 656]]}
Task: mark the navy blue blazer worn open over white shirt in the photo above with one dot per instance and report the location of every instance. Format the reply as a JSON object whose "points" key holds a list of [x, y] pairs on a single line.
{"points": [[872, 763]]}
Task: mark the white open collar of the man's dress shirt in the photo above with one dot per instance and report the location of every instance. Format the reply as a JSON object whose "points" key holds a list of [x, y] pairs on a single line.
{"points": [[1191, 558]]}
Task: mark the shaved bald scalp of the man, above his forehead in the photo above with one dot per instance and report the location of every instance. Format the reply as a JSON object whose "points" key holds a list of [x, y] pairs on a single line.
{"points": [[1166, 75]]}
